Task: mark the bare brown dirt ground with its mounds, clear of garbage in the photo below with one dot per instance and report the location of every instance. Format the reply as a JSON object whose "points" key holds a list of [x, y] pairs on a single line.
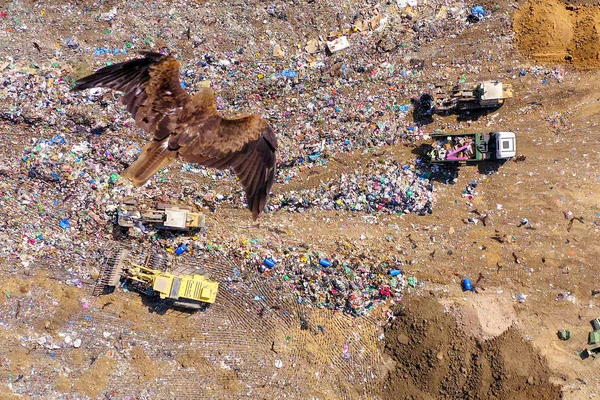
{"points": [[499, 342]]}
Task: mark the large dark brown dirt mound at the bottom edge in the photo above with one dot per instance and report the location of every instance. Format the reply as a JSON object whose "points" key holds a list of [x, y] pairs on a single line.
{"points": [[437, 360]]}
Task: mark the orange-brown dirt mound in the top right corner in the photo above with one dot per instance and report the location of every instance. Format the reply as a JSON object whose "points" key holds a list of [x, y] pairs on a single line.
{"points": [[552, 31]]}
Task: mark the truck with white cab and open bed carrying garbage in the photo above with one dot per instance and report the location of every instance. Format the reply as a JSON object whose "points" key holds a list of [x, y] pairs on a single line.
{"points": [[468, 147]]}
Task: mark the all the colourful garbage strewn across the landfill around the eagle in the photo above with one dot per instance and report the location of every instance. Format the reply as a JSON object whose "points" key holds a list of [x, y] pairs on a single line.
{"points": [[323, 106]]}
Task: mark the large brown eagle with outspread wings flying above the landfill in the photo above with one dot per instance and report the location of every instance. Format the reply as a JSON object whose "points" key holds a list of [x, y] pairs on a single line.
{"points": [[189, 126]]}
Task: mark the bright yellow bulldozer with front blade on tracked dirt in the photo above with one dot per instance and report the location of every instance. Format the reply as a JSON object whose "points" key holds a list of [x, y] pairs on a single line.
{"points": [[184, 287]]}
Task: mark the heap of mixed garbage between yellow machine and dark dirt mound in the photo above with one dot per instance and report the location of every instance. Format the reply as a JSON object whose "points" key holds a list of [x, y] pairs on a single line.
{"points": [[352, 280]]}
